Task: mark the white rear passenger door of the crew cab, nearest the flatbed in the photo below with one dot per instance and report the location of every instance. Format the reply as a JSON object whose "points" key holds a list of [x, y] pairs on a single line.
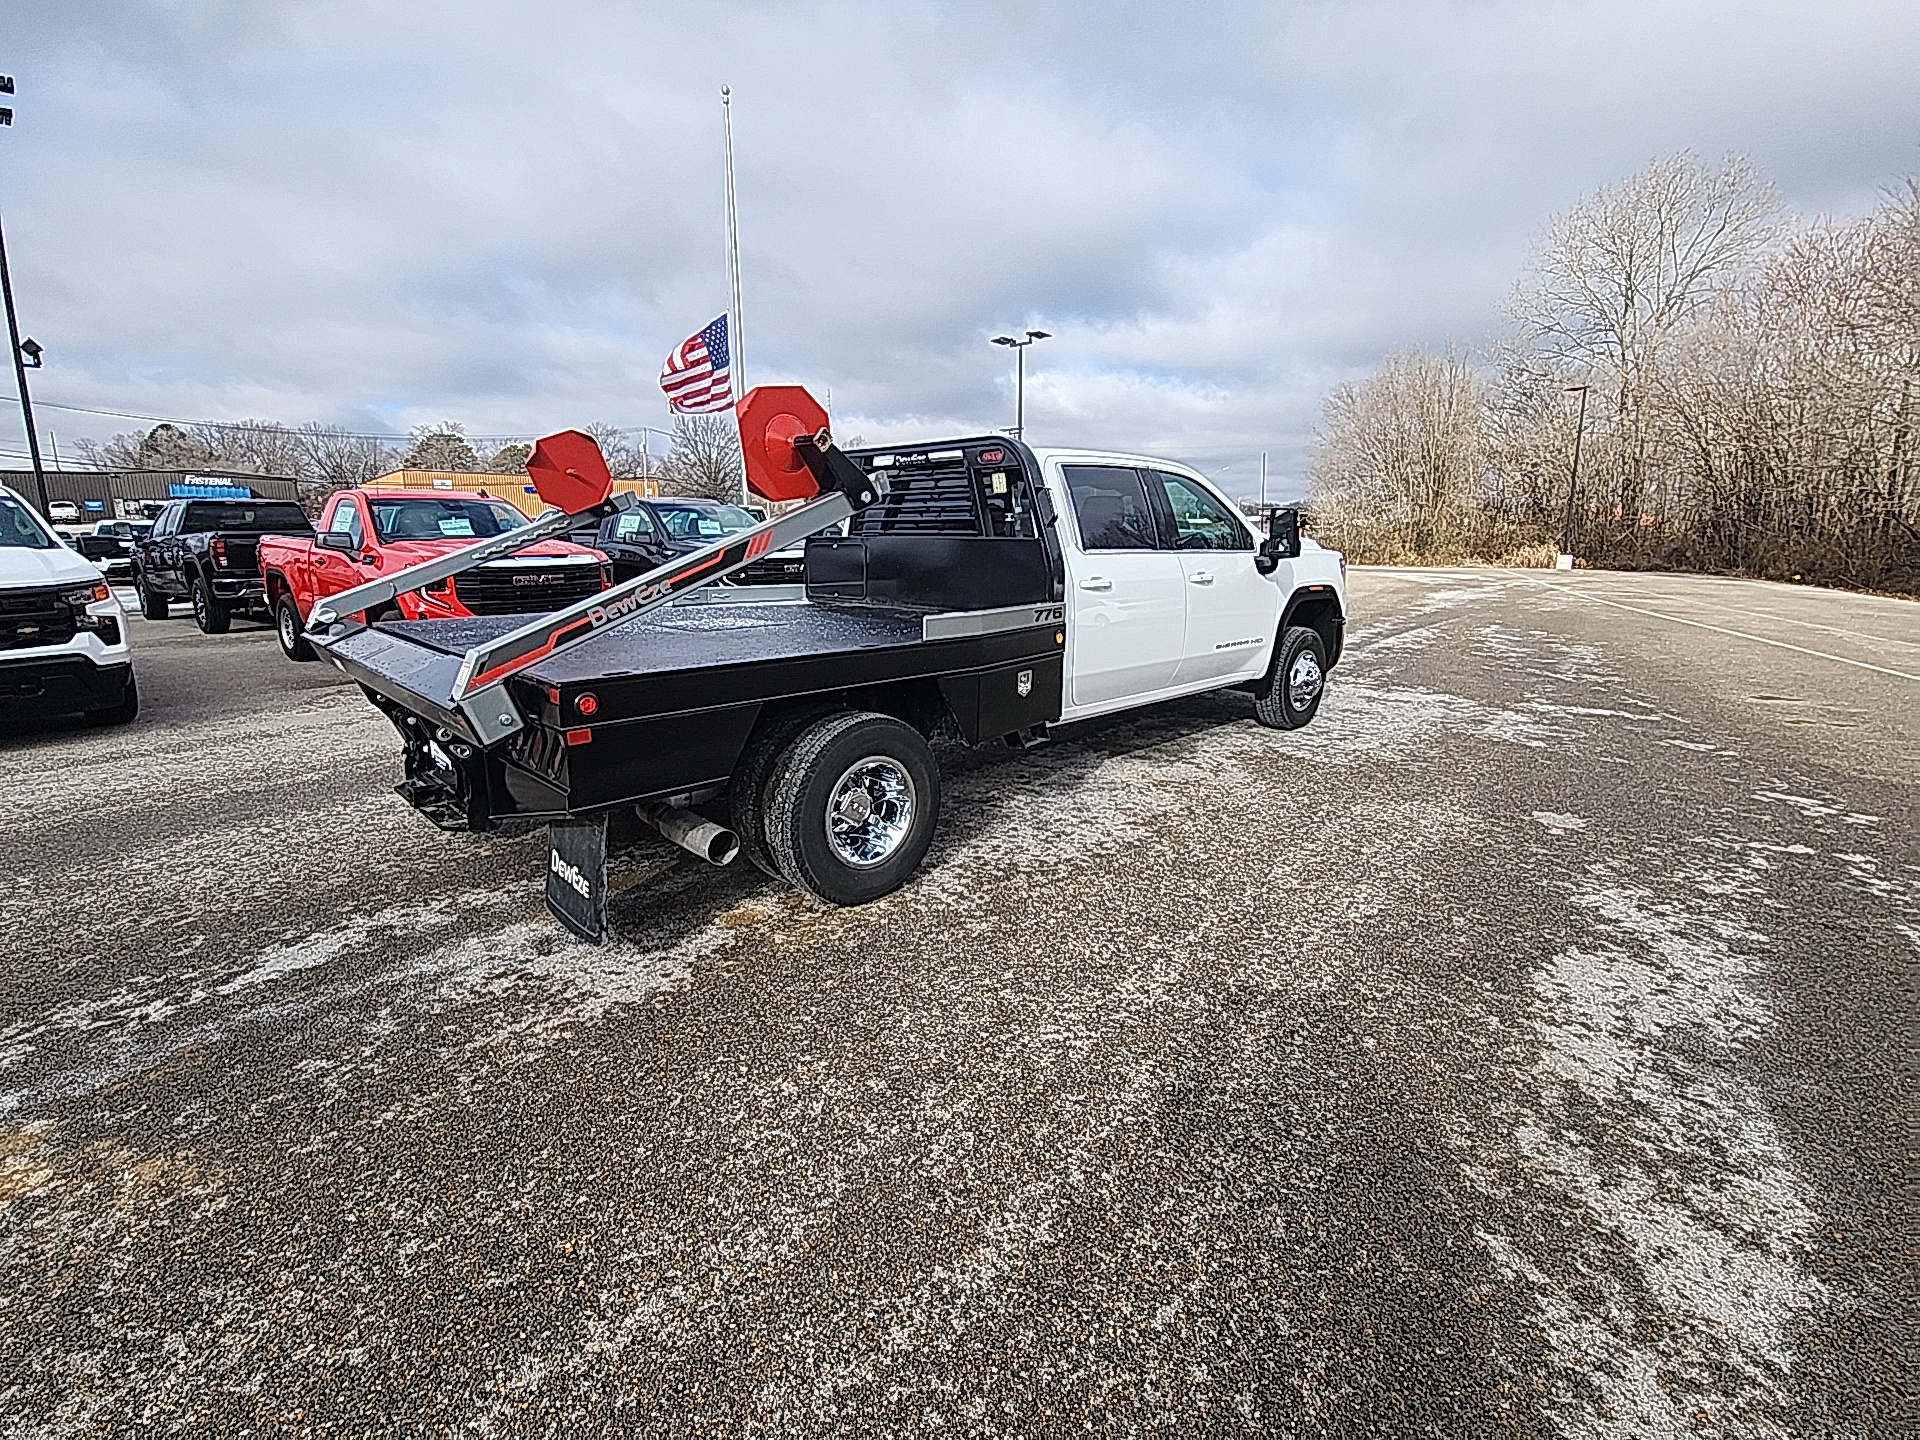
{"points": [[1124, 587]]}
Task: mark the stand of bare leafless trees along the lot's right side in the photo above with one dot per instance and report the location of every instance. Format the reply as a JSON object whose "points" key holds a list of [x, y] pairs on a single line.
{"points": [[1758, 408]]}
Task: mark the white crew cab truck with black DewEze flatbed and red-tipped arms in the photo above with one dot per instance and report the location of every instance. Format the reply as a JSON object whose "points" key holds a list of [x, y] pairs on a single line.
{"points": [[980, 592]]}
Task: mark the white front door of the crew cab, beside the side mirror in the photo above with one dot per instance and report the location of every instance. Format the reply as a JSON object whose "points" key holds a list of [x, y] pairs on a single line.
{"points": [[1232, 610]]}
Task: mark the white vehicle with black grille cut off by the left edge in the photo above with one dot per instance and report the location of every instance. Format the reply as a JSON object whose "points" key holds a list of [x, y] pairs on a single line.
{"points": [[62, 633]]}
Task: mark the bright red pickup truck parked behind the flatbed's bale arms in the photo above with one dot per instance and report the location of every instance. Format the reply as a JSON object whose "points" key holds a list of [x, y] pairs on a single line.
{"points": [[372, 533]]}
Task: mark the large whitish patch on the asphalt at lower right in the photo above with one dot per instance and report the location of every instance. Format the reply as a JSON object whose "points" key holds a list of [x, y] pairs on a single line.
{"points": [[1677, 1272]]}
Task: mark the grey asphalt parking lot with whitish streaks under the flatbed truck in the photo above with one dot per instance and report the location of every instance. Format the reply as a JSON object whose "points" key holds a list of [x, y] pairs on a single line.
{"points": [[1522, 1049]]}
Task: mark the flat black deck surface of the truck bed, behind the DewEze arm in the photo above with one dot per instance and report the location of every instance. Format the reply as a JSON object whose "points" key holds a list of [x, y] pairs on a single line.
{"points": [[686, 638]]}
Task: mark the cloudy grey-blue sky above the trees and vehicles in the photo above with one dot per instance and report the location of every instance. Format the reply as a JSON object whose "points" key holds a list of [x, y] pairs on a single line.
{"points": [[508, 214]]}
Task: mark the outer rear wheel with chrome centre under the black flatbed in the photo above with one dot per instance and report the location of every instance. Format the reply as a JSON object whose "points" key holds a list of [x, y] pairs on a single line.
{"points": [[901, 784]]}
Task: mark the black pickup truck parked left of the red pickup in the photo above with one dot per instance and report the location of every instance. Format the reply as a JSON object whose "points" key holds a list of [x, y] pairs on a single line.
{"points": [[206, 552]]}
